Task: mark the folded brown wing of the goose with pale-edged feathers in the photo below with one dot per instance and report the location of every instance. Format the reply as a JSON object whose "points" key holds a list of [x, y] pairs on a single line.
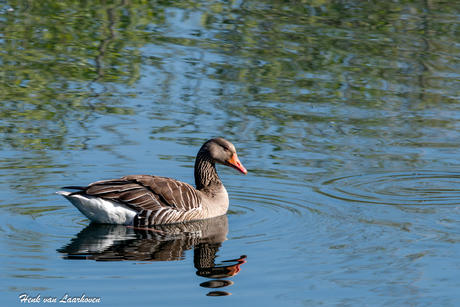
{"points": [[145, 192]]}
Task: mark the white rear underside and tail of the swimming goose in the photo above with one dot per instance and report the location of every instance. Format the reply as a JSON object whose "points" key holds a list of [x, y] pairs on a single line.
{"points": [[100, 210]]}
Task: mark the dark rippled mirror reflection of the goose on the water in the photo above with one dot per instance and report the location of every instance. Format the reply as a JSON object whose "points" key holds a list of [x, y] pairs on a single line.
{"points": [[103, 242]]}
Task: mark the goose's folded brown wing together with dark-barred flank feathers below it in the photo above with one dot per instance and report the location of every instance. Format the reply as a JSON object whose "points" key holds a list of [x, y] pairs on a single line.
{"points": [[158, 200]]}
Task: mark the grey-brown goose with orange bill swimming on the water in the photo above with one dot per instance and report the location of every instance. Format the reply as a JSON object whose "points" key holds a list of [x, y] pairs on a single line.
{"points": [[142, 200]]}
